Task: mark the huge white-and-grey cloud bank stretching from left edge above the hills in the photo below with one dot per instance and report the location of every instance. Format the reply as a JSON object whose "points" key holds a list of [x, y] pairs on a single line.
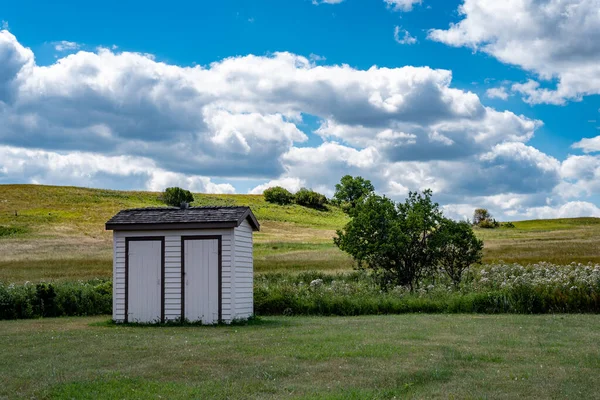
{"points": [[124, 120]]}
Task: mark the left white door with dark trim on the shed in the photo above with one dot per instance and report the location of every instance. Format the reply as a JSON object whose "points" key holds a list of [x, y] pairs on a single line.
{"points": [[144, 283]]}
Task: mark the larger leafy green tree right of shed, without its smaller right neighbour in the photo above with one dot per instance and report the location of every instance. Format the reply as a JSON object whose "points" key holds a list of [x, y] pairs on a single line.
{"points": [[397, 241]]}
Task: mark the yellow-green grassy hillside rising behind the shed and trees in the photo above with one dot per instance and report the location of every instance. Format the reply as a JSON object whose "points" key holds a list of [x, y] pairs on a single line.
{"points": [[55, 232]]}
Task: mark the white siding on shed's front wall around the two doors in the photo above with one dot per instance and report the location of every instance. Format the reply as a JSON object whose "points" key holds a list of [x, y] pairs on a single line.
{"points": [[172, 270]]}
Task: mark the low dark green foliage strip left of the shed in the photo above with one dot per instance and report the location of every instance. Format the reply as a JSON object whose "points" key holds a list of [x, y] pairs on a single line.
{"points": [[55, 299]]}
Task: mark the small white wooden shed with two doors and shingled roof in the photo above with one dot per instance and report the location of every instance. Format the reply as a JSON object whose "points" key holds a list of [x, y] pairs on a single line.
{"points": [[193, 263]]}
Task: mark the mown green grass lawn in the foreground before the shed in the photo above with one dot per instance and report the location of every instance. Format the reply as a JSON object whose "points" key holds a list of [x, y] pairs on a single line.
{"points": [[414, 356]]}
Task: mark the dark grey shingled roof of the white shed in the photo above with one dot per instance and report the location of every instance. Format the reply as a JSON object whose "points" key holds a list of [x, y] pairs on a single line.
{"points": [[136, 219]]}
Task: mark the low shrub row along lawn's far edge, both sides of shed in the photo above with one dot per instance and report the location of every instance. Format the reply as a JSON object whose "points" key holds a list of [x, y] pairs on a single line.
{"points": [[498, 288]]}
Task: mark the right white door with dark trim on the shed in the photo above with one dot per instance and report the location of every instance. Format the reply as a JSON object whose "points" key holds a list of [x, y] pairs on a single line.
{"points": [[201, 291]]}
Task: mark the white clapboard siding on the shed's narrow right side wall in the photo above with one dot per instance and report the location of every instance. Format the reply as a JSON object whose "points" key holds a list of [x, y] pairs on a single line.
{"points": [[244, 271]]}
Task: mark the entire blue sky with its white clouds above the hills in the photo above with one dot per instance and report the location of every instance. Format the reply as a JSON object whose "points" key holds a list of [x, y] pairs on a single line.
{"points": [[403, 129]]}
